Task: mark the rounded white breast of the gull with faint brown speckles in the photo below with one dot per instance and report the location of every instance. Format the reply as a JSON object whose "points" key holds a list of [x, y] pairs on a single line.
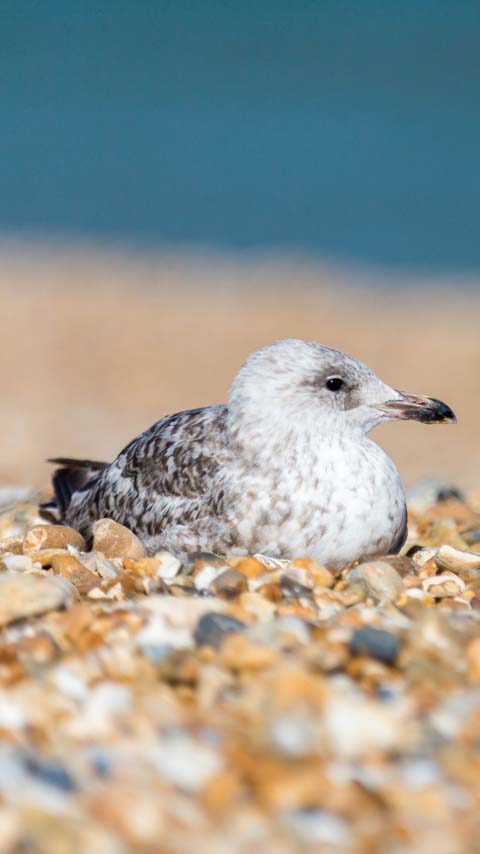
{"points": [[339, 500]]}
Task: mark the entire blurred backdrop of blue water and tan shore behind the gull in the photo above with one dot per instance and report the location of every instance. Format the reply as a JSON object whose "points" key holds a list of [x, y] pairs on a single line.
{"points": [[182, 182]]}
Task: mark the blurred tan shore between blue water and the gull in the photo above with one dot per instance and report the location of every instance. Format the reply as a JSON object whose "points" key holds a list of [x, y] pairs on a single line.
{"points": [[95, 346]]}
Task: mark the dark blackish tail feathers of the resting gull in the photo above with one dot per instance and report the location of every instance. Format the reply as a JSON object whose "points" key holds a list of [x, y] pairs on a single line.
{"points": [[72, 476]]}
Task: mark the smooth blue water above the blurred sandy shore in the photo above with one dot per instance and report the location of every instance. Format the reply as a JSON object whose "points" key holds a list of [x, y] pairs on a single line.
{"points": [[350, 130]]}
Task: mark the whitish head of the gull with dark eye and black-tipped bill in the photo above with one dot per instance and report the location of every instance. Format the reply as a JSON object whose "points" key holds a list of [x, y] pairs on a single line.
{"points": [[295, 379]]}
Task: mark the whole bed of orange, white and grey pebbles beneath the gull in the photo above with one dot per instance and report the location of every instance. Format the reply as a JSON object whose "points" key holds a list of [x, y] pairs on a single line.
{"points": [[278, 708]]}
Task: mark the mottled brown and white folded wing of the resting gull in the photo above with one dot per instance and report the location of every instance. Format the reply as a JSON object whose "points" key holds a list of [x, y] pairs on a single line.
{"points": [[161, 477]]}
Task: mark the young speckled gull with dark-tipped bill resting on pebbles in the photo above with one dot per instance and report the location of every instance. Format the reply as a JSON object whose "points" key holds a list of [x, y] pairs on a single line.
{"points": [[285, 468]]}
